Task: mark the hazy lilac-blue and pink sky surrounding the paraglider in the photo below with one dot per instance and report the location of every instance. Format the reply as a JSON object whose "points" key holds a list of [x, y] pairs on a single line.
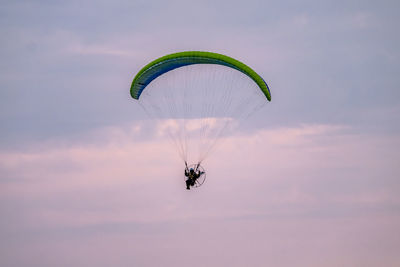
{"points": [[312, 179]]}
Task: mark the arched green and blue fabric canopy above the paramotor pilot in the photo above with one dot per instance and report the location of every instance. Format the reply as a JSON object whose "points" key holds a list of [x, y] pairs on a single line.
{"points": [[172, 61]]}
